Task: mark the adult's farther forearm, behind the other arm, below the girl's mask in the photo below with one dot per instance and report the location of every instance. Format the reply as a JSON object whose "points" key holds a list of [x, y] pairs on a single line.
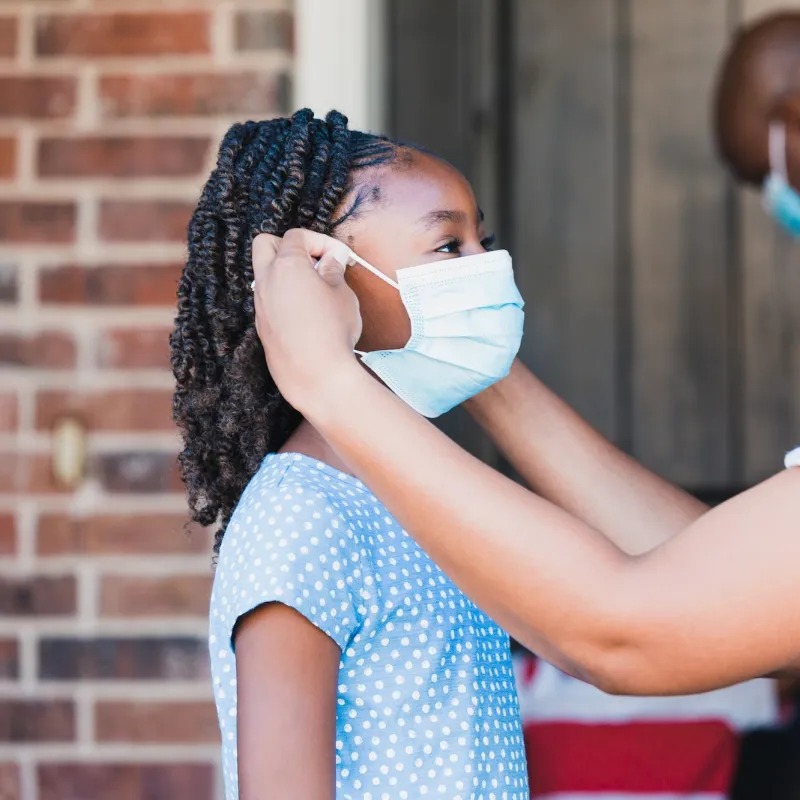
{"points": [[566, 461]]}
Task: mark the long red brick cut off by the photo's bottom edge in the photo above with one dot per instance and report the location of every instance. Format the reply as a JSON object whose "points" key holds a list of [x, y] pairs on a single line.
{"points": [[82, 781]]}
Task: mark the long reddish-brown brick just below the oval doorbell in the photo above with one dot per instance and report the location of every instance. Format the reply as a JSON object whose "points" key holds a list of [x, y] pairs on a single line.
{"points": [[149, 534]]}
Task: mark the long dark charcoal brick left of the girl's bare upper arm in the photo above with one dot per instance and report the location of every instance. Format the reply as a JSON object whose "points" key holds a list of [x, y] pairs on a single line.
{"points": [[178, 658]]}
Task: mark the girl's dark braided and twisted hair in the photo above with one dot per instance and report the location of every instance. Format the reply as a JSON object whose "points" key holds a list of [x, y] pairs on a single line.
{"points": [[270, 176]]}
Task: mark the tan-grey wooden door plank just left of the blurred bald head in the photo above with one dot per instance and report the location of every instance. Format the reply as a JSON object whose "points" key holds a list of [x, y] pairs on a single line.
{"points": [[679, 244]]}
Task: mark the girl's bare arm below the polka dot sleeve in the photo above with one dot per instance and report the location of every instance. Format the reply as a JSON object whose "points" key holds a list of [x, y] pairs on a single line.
{"points": [[286, 674]]}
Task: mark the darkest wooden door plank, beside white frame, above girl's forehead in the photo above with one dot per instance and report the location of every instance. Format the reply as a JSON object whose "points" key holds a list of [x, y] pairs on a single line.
{"points": [[444, 97]]}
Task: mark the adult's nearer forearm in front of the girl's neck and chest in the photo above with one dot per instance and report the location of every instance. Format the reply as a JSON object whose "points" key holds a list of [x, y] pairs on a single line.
{"points": [[511, 551]]}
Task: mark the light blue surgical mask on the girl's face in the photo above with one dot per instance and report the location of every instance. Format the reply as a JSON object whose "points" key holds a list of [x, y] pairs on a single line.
{"points": [[466, 328]]}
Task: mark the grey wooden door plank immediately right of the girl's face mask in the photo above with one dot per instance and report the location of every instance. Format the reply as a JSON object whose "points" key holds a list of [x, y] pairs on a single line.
{"points": [[565, 198]]}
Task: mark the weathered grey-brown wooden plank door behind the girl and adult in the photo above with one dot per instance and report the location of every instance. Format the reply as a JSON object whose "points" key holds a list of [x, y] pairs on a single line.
{"points": [[661, 301]]}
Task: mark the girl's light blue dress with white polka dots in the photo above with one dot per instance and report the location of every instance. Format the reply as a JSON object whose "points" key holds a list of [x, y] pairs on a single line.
{"points": [[427, 705]]}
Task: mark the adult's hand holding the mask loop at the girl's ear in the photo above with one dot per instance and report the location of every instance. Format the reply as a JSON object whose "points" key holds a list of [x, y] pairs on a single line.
{"points": [[307, 317]]}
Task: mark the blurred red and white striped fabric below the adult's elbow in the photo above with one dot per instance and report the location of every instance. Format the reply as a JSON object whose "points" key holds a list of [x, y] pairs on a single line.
{"points": [[584, 744]]}
